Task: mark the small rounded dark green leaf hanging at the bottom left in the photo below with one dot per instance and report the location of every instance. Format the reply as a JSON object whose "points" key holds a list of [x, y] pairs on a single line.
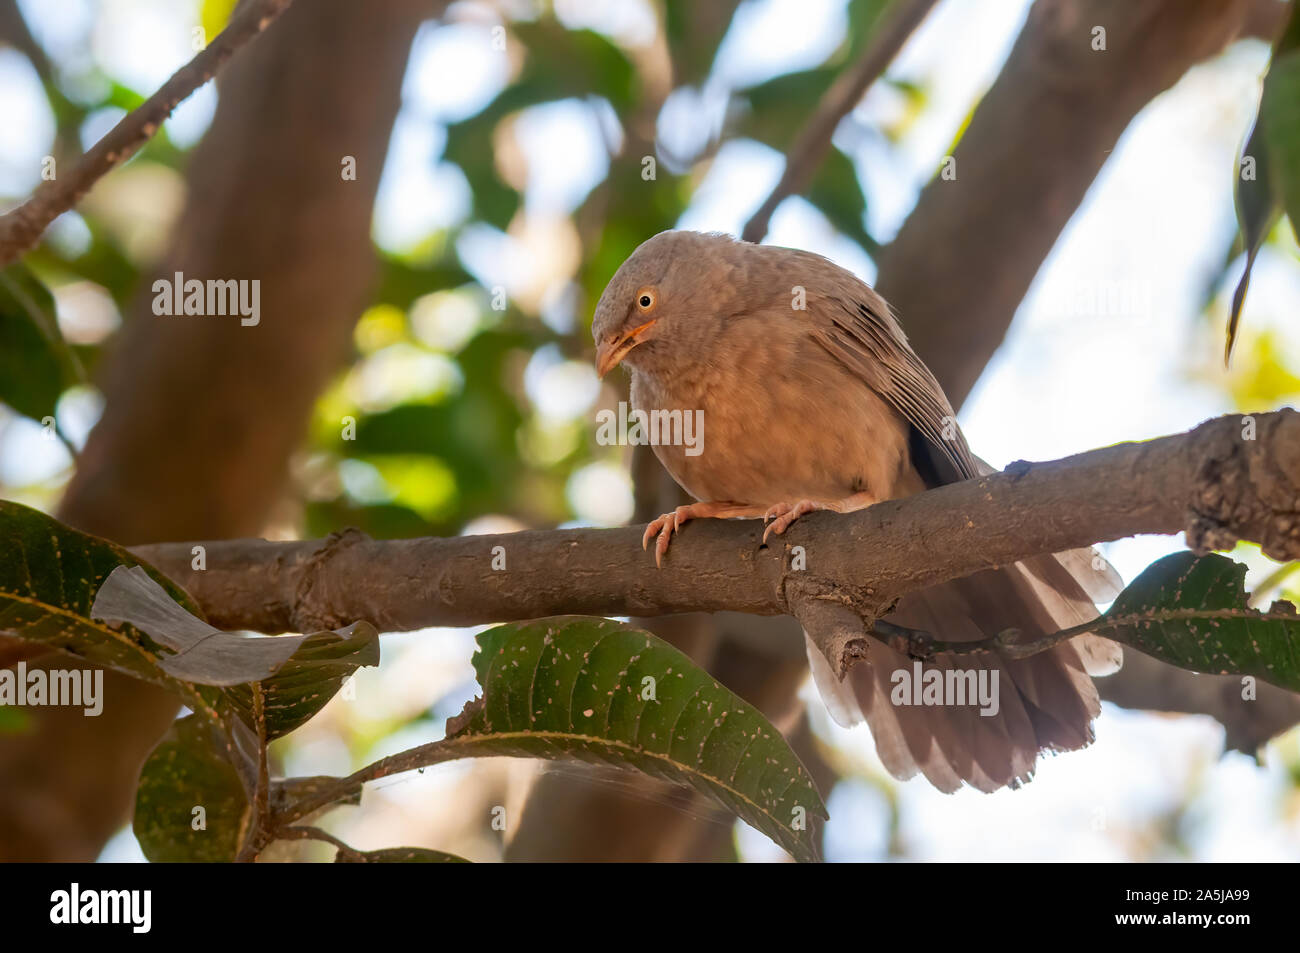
{"points": [[188, 772]]}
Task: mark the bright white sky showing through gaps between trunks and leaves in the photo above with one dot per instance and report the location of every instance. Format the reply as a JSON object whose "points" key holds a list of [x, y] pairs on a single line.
{"points": [[1155, 226]]}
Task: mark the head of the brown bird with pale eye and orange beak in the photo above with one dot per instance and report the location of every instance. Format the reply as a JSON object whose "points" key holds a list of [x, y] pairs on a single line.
{"points": [[664, 302]]}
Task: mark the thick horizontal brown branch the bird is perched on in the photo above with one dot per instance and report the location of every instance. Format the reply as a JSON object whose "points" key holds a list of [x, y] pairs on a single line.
{"points": [[1214, 483]]}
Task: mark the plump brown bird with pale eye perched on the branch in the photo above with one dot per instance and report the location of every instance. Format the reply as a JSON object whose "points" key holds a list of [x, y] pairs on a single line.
{"points": [[813, 400]]}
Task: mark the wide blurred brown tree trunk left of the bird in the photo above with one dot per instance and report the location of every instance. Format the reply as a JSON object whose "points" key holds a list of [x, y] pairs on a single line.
{"points": [[202, 413]]}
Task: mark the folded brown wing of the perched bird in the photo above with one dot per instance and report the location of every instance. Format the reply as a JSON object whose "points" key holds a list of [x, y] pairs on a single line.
{"points": [[861, 332]]}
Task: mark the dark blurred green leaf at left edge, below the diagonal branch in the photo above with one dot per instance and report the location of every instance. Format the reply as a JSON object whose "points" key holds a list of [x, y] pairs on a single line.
{"points": [[36, 363]]}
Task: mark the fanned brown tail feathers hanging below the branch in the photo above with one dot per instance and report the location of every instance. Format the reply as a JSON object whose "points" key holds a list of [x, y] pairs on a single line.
{"points": [[1042, 703]]}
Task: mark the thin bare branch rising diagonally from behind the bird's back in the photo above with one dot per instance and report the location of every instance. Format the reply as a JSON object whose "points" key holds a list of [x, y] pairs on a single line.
{"points": [[814, 140]]}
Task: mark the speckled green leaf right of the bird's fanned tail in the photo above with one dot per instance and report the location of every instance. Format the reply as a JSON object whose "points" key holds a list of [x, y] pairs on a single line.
{"points": [[1193, 613]]}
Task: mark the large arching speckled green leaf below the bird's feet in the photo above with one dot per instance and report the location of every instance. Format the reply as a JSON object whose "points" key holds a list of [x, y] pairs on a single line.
{"points": [[601, 691]]}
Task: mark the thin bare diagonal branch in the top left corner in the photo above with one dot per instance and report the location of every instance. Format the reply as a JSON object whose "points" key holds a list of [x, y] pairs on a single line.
{"points": [[21, 228]]}
